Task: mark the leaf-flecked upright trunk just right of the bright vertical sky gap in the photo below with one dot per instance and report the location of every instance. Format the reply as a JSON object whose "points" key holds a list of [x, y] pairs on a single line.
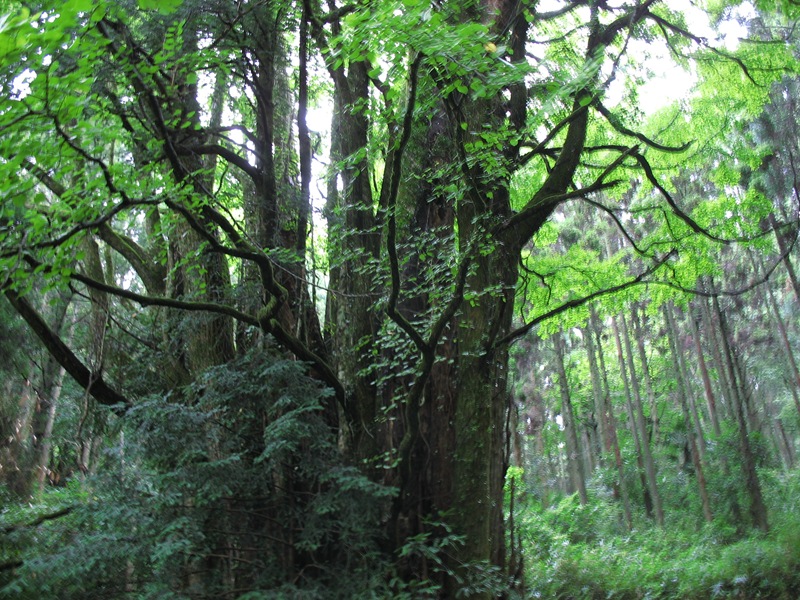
{"points": [[353, 238]]}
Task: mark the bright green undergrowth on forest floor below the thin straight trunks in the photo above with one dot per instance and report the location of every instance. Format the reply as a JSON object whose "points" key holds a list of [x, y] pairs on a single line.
{"points": [[583, 552]]}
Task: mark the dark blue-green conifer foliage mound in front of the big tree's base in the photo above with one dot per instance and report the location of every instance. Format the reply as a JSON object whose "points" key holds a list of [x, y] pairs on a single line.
{"points": [[178, 493]]}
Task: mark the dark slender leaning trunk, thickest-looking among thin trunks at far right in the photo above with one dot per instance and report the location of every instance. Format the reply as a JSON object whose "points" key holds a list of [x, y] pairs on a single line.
{"points": [[758, 509]]}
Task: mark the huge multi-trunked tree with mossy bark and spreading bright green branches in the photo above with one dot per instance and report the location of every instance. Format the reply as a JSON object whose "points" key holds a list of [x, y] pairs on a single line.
{"points": [[175, 134]]}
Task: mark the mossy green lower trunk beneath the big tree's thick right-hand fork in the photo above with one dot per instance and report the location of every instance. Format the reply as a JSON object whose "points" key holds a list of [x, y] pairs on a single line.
{"points": [[481, 405]]}
